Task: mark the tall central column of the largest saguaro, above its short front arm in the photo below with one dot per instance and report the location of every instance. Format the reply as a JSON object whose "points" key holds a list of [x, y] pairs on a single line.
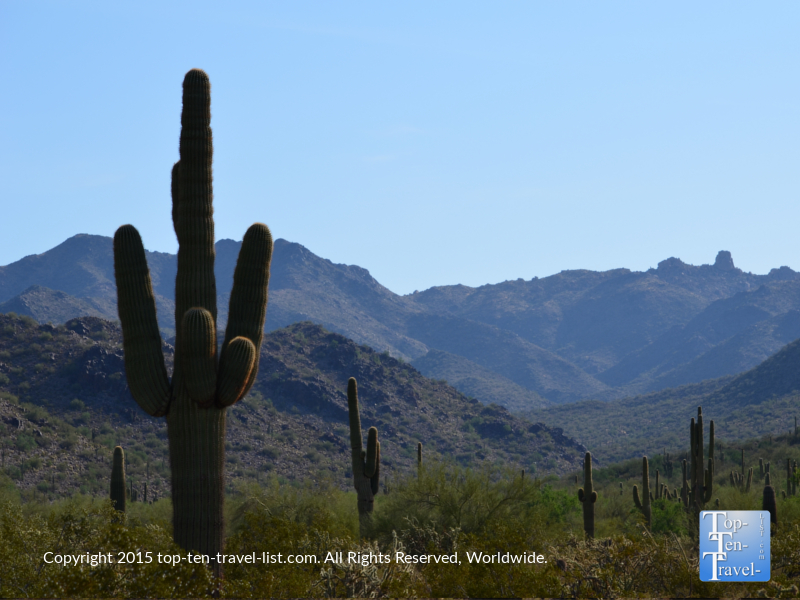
{"points": [[195, 286]]}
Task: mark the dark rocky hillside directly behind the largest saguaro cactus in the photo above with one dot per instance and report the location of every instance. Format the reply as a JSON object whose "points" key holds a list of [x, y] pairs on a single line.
{"points": [[64, 404]]}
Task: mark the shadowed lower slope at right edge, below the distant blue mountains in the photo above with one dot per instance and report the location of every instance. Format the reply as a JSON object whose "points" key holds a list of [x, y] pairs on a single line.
{"points": [[762, 401]]}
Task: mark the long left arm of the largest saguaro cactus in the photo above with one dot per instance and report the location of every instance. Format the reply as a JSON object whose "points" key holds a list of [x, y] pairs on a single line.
{"points": [[141, 340]]}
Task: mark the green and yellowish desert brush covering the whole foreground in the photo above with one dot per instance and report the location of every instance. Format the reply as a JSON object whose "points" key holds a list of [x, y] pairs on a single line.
{"points": [[443, 509]]}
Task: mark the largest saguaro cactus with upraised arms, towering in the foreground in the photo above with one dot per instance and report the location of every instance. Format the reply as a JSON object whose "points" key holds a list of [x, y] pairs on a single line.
{"points": [[203, 384]]}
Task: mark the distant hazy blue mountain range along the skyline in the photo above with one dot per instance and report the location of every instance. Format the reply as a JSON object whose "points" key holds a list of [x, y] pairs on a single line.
{"points": [[570, 336]]}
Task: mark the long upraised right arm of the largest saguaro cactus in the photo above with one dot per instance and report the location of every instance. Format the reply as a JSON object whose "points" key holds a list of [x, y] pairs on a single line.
{"points": [[247, 309]]}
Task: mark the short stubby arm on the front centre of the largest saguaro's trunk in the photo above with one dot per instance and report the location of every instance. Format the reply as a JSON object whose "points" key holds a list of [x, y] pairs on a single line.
{"points": [[199, 355]]}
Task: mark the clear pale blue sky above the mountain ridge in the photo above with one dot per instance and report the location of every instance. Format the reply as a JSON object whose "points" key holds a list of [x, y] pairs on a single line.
{"points": [[430, 142]]}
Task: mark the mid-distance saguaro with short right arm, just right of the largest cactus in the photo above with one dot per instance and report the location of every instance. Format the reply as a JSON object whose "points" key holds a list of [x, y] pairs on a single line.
{"points": [[366, 465]]}
